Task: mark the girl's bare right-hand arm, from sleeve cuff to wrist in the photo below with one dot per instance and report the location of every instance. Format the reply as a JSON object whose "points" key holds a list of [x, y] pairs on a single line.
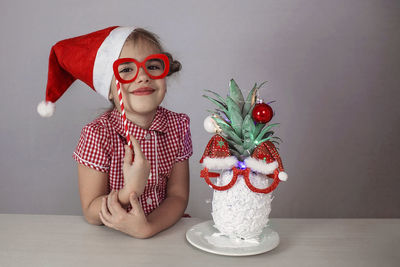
{"points": [[173, 207]]}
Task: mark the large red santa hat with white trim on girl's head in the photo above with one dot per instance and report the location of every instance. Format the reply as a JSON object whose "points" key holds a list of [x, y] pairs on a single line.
{"points": [[88, 58]]}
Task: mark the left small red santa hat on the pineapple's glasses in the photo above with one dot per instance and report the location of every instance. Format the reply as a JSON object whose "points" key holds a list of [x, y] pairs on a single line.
{"points": [[217, 155]]}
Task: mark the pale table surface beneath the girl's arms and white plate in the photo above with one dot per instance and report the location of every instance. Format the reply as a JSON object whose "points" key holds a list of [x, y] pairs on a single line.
{"points": [[53, 240]]}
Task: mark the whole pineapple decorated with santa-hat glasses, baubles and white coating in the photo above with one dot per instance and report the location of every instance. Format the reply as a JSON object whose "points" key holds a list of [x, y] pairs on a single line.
{"points": [[242, 157]]}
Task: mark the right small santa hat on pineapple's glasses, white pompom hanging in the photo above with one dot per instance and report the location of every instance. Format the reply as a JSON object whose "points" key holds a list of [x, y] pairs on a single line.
{"points": [[265, 159]]}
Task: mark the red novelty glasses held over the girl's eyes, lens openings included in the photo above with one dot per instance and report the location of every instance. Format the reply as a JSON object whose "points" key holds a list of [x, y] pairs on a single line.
{"points": [[126, 70]]}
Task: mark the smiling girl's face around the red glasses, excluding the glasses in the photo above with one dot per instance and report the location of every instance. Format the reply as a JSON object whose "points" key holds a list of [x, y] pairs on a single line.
{"points": [[143, 95]]}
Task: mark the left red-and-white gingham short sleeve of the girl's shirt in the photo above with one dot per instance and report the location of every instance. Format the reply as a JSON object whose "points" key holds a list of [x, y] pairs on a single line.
{"points": [[93, 148]]}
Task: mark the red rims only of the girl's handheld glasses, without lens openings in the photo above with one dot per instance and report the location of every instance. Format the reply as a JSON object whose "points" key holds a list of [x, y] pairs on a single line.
{"points": [[139, 65]]}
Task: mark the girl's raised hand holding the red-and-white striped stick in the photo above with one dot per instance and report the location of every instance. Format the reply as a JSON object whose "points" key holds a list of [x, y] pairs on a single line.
{"points": [[135, 173]]}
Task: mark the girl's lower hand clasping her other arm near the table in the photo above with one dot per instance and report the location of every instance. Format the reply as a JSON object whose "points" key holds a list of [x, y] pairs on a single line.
{"points": [[133, 223]]}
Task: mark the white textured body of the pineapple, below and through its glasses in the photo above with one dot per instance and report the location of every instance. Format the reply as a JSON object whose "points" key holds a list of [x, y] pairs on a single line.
{"points": [[239, 212]]}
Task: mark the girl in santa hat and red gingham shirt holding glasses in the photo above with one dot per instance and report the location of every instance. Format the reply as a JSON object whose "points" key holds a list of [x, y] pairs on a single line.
{"points": [[139, 192]]}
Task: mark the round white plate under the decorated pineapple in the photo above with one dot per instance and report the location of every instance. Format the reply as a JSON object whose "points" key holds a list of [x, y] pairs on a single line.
{"points": [[201, 234]]}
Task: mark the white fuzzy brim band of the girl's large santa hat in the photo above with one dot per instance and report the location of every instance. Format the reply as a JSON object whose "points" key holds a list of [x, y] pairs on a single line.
{"points": [[106, 55]]}
